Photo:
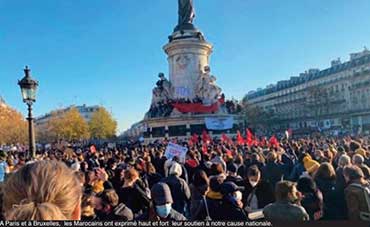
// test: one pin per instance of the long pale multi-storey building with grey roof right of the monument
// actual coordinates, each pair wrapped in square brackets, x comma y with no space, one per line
[335,99]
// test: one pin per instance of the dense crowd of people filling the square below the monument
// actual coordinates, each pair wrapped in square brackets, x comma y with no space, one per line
[297,180]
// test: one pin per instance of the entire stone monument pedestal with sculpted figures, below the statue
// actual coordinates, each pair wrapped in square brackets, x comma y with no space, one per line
[188,55]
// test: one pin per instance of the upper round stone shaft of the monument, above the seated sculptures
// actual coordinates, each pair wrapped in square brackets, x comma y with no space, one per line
[188,54]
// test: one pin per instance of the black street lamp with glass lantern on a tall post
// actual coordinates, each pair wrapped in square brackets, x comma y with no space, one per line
[28,88]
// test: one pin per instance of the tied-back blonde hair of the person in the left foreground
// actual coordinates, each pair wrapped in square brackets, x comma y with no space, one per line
[43,190]
